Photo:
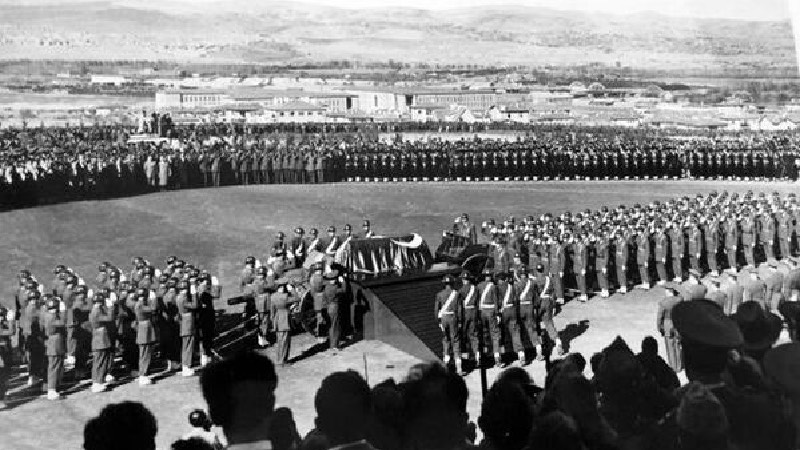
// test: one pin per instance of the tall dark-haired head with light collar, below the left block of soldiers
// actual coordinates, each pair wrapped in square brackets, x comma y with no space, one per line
[240,393]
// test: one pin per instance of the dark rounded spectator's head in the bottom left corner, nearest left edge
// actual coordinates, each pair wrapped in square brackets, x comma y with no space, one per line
[121,426]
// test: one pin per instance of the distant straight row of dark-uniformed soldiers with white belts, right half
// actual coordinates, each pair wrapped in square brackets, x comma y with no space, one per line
[528,163]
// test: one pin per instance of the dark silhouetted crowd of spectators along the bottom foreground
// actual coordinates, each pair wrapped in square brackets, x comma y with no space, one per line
[736,399]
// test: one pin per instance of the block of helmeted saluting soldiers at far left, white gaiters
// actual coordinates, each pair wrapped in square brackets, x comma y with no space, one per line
[70,326]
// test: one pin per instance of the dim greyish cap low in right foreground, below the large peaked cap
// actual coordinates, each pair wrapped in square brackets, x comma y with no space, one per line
[700,412]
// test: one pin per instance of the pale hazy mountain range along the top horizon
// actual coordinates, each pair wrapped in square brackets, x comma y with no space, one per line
[267,31]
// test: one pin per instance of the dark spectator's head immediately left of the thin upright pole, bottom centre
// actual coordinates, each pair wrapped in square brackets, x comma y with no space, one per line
[435,409]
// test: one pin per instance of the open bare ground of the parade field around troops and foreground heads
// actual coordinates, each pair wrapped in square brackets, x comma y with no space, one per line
[218,228]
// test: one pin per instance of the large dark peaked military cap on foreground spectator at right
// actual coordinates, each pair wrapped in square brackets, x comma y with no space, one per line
[704,321]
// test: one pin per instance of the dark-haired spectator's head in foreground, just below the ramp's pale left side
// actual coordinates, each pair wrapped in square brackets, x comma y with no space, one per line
[344,410]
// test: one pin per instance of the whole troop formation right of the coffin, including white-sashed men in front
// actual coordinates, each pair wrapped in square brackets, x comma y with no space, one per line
[721,247]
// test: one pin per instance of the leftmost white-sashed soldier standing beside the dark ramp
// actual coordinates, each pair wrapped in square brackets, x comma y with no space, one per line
[447,309]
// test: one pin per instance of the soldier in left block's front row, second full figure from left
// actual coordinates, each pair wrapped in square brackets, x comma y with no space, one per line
[101,319]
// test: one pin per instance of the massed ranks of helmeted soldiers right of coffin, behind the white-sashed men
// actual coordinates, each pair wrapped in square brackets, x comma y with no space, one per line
[645,245]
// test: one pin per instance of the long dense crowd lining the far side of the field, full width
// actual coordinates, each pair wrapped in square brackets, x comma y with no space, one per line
[40,166]
